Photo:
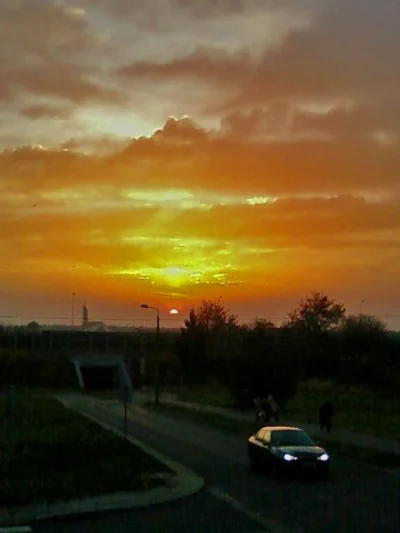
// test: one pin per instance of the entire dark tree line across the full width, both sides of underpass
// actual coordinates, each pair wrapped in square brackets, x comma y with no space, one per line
[319,340]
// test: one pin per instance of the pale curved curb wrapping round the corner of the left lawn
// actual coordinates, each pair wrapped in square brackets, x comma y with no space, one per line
[184,483]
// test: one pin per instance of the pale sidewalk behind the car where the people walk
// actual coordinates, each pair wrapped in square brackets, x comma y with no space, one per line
[340,435]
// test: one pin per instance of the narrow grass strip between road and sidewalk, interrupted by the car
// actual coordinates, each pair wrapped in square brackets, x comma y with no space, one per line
[247,428]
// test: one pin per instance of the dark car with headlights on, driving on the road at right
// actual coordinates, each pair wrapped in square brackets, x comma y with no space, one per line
[278,448]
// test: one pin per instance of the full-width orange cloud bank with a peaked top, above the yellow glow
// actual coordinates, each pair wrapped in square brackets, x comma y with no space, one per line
[182,155]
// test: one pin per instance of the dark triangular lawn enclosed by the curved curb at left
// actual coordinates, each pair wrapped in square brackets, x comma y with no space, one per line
[56,455]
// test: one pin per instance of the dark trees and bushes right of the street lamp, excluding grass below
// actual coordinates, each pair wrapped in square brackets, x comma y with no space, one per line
[319,340]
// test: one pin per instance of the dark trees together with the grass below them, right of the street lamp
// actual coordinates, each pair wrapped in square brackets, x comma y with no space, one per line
[319,353]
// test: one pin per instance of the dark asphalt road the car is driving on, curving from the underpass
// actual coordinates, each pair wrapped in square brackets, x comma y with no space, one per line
[356,499]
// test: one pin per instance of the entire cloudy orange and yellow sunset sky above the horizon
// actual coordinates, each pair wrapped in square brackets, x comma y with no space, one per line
[165,151]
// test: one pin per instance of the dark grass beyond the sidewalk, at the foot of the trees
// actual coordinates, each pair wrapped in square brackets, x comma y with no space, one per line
[356,409]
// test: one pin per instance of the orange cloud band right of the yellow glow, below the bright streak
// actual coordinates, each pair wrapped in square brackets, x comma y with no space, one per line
[296,222]
